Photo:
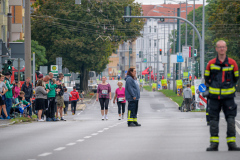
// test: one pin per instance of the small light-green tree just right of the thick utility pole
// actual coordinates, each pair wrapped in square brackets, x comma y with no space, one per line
[40,53]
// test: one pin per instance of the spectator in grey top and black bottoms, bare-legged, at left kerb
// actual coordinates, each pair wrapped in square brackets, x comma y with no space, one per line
[41,95]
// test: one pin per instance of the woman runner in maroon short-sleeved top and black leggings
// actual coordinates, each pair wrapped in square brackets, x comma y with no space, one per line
[104,94]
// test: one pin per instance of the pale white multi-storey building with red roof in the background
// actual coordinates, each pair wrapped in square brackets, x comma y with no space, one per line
[157,31]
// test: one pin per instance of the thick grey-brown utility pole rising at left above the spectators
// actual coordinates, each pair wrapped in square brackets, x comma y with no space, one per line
[27,40]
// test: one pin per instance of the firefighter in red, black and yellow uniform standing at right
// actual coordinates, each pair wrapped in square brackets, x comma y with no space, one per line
[221,75]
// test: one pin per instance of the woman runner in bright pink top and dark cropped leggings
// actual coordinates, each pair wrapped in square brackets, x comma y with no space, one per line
[121,102]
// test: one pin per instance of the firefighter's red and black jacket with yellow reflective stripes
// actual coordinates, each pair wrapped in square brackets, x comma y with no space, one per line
[222,78]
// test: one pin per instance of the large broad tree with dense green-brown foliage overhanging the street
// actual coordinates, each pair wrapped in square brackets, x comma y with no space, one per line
[84,35]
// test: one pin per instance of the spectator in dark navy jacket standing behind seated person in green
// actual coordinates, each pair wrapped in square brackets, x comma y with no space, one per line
[28,90]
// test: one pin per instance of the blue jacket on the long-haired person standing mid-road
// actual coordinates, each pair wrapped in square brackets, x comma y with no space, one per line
[131,89]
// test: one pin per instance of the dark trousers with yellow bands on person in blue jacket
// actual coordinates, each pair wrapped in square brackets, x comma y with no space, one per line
[132,111]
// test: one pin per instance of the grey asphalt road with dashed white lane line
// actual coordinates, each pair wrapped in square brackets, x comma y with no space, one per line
[165,134]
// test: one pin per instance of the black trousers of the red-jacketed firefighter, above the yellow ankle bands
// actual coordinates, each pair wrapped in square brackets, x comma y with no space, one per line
[229,108]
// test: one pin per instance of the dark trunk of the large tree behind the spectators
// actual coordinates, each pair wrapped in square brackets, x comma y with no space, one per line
[84,78]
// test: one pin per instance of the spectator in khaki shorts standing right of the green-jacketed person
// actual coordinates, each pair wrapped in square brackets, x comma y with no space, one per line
[59,97]
